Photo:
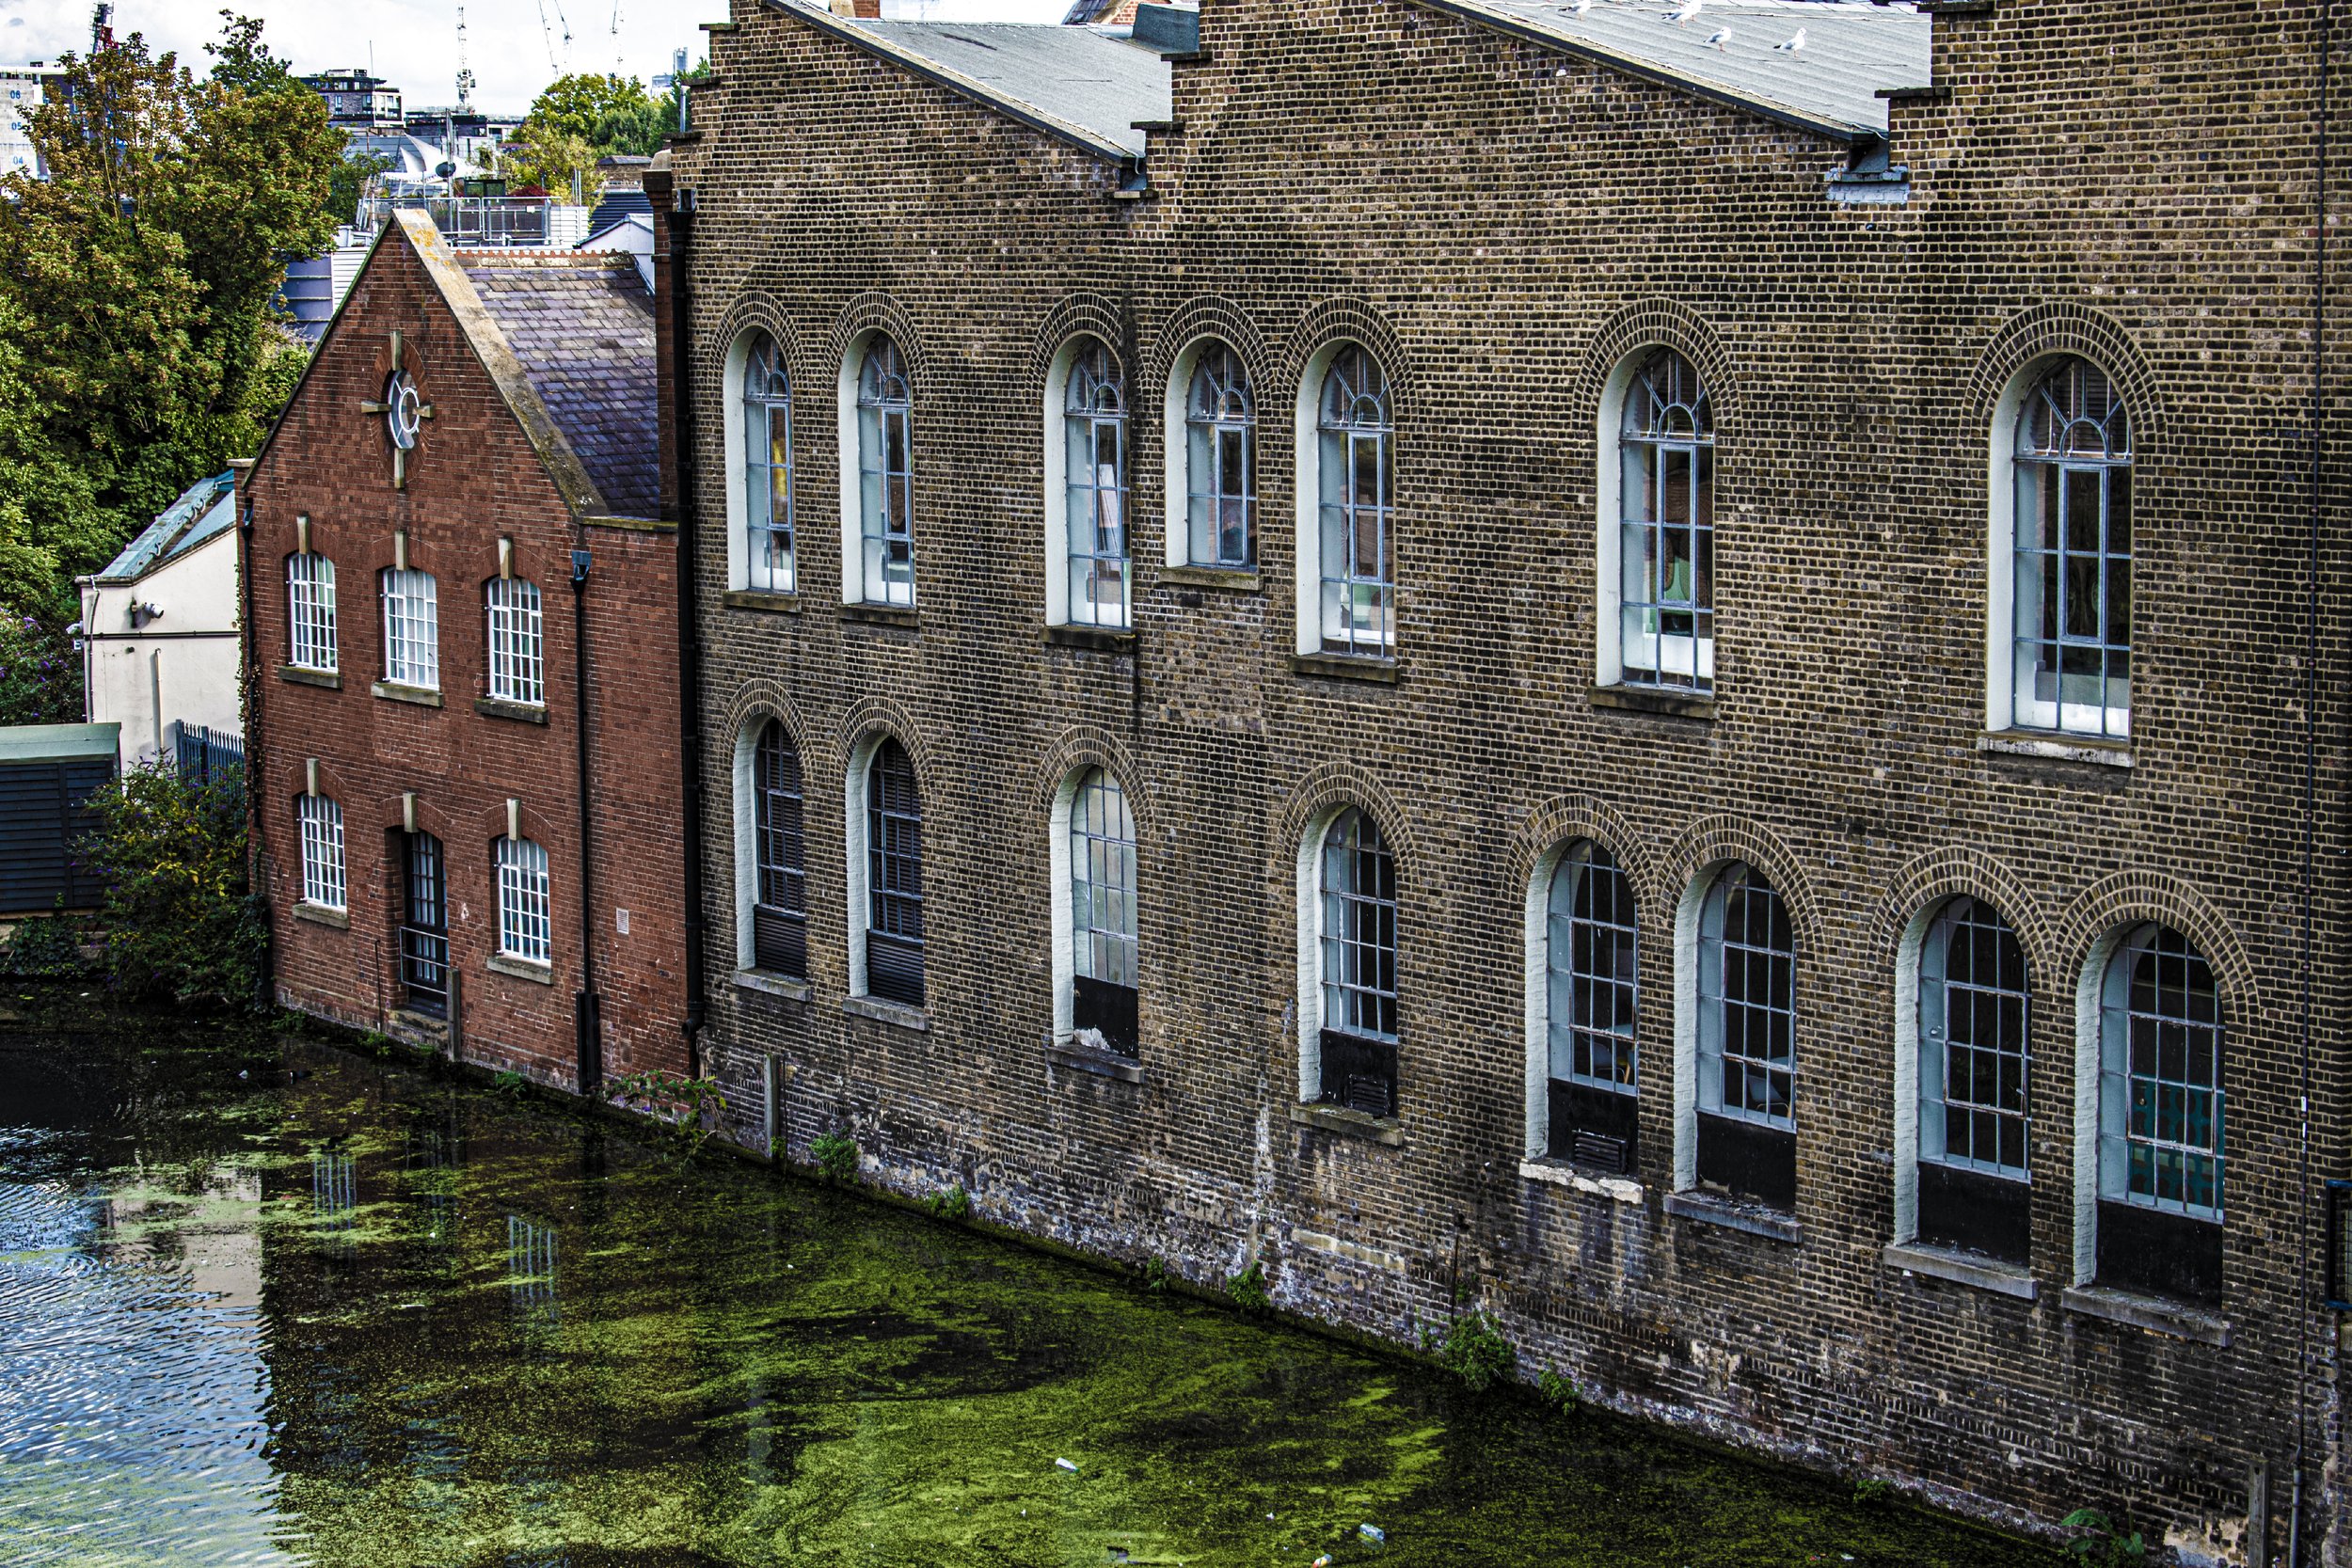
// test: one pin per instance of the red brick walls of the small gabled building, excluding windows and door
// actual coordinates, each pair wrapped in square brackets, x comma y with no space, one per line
[474,478]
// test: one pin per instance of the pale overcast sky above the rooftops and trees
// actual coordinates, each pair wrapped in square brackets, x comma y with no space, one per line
[415,41]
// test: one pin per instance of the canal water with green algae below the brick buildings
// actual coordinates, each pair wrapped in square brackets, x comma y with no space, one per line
[274,1304]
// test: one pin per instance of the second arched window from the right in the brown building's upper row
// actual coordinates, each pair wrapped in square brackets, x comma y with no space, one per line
[1666,528]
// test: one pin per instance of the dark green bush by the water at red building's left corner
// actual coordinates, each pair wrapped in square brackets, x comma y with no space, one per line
[180,916]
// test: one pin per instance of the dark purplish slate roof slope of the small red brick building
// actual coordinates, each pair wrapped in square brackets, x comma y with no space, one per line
[582,326]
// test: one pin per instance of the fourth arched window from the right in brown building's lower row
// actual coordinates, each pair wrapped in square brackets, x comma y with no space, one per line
[1591,960]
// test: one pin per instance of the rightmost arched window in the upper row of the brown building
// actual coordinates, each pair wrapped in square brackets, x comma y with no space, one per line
[2071,603]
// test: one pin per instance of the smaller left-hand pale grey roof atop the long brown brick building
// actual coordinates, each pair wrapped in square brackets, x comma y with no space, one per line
[1081,83]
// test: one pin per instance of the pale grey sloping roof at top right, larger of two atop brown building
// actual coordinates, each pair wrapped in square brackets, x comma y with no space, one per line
[1852,51]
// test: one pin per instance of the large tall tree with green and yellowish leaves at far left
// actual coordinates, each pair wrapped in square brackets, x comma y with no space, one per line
[138,347]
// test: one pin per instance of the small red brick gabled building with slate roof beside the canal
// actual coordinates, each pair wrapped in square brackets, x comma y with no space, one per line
[455,514]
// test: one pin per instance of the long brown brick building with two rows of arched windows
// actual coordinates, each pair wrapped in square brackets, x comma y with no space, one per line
[1664,671]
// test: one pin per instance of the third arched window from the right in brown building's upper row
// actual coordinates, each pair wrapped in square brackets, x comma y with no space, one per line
[1358,509]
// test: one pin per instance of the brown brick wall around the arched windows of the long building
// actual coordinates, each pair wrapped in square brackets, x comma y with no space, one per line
[1502,225]
